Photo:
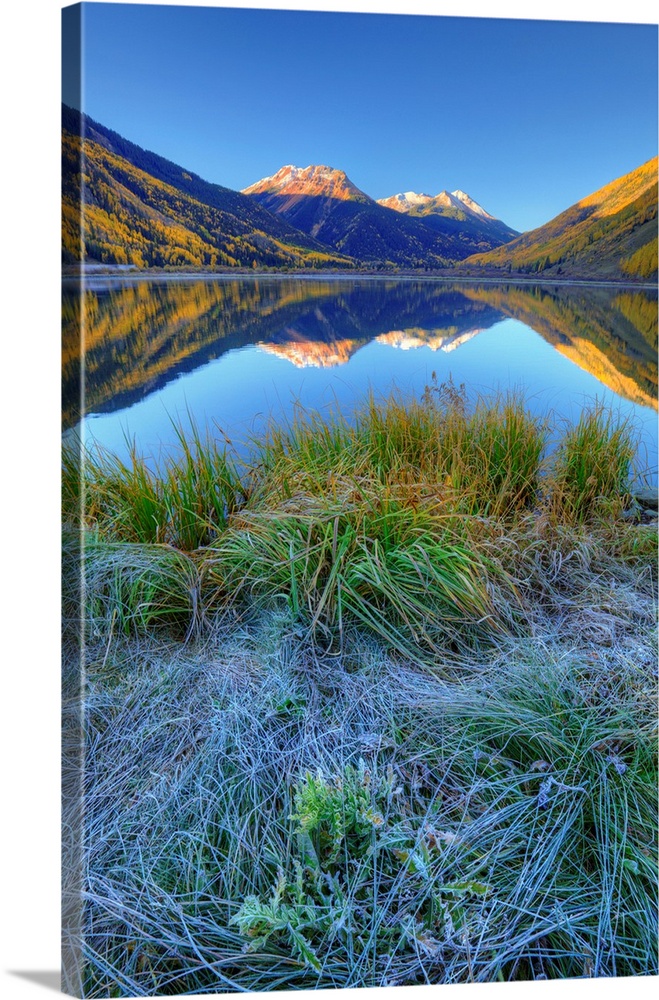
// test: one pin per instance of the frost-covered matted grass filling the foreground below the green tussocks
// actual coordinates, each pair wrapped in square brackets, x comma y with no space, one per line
[262,816]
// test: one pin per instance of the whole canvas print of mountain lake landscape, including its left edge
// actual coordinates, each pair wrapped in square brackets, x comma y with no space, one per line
[359,403]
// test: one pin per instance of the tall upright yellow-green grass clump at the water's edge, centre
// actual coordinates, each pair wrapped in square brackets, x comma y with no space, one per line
[484,462]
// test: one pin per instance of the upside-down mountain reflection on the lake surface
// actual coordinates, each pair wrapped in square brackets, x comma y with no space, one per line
[141,335]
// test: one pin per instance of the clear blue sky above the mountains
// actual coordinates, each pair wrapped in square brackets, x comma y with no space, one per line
[526,116]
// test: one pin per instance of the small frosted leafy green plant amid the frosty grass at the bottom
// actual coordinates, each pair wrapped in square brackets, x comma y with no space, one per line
[357,865]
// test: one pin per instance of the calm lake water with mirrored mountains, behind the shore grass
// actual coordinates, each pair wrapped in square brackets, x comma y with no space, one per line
[233,353]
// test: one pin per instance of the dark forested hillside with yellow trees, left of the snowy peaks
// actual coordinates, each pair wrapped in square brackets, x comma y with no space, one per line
[143,210]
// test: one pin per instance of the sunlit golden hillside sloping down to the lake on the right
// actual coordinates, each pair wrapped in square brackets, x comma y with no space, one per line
[611,234]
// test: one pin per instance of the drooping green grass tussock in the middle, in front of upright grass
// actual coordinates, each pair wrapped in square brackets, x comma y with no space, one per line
[391,568]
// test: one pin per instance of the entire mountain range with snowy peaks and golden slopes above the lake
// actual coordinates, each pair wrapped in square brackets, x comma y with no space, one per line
[144,211]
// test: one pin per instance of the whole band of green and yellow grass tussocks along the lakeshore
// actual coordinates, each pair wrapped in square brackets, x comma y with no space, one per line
[401,520]
